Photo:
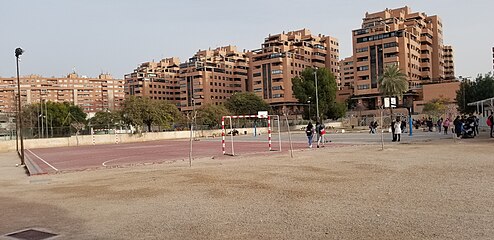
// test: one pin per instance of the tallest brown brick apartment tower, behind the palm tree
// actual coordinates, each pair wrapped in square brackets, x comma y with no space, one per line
[411,40]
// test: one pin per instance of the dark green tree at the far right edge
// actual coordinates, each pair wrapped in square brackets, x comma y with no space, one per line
[472,91]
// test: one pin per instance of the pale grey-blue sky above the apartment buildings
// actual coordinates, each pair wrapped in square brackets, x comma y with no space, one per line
[115,36]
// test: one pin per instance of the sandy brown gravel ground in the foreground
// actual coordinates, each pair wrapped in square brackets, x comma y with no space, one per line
[434,190]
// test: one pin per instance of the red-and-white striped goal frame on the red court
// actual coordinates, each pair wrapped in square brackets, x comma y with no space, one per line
[261,115]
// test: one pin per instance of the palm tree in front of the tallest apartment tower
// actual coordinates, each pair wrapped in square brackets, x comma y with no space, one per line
[393,82]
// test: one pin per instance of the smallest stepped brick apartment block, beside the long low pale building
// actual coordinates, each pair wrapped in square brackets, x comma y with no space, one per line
[156,80]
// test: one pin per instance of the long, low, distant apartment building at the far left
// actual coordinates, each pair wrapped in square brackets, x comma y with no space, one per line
[91,94]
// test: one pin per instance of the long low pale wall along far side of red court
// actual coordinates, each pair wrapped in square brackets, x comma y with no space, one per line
[10,145]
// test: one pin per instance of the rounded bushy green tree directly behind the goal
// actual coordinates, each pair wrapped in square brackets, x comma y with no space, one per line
[246,103]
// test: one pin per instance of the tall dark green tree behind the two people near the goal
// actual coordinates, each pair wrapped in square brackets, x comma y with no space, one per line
[304,86]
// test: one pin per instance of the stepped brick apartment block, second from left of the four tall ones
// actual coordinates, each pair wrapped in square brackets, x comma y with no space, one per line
[212,77]
